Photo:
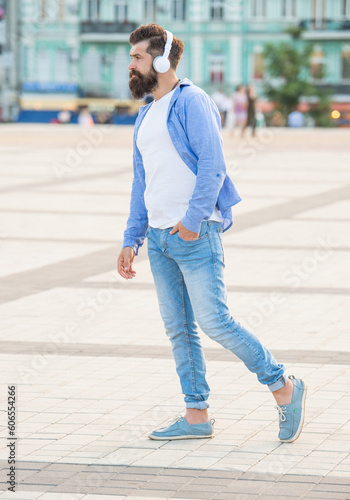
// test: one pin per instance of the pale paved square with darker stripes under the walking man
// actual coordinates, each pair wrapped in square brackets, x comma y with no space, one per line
[87,352]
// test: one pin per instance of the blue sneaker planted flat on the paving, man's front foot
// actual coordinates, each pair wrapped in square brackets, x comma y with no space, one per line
[179,428]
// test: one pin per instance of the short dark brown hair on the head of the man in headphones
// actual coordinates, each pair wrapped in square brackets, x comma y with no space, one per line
[157,39]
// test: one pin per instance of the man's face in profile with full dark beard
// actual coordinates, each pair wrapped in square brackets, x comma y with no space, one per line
[143,78]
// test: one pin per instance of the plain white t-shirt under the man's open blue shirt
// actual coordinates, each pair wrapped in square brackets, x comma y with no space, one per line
[169,181]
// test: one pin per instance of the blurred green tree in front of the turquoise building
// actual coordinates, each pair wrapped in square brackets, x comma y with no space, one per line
[288,70]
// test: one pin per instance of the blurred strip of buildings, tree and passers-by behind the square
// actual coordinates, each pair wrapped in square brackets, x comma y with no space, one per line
[61,59]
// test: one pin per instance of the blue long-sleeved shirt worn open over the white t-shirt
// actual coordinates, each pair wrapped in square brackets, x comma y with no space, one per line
[194,126]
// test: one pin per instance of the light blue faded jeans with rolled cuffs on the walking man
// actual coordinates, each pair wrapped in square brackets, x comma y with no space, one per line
[190,286]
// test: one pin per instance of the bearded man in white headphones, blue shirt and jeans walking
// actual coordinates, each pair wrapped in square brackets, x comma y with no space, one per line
[181,201]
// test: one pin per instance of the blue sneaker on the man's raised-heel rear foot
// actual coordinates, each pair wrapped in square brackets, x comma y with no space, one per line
[291,417]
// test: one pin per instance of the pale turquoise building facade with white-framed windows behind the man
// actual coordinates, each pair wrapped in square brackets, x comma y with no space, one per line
[79,48]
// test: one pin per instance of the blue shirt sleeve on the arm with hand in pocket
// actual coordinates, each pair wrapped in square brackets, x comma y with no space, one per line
[204,135]
